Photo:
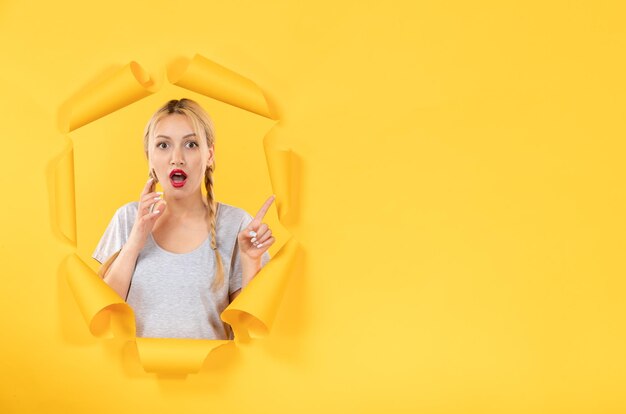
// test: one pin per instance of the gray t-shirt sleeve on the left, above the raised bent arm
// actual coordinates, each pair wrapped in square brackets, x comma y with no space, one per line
[116,233]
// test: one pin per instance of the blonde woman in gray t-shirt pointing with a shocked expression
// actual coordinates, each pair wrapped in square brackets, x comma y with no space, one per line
[177,258]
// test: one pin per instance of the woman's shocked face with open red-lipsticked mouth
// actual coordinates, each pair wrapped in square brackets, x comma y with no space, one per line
[178,156]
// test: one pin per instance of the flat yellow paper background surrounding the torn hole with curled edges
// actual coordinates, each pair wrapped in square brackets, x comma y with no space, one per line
[461,206]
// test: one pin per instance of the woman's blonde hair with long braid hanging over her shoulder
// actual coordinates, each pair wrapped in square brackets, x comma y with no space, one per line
[202,125]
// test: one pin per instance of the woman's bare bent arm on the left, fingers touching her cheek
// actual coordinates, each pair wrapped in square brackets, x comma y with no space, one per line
[120,271]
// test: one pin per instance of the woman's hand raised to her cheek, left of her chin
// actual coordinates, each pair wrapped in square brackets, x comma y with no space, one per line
[146,214]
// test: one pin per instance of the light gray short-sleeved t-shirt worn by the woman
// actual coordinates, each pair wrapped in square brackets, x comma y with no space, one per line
[171,293]
